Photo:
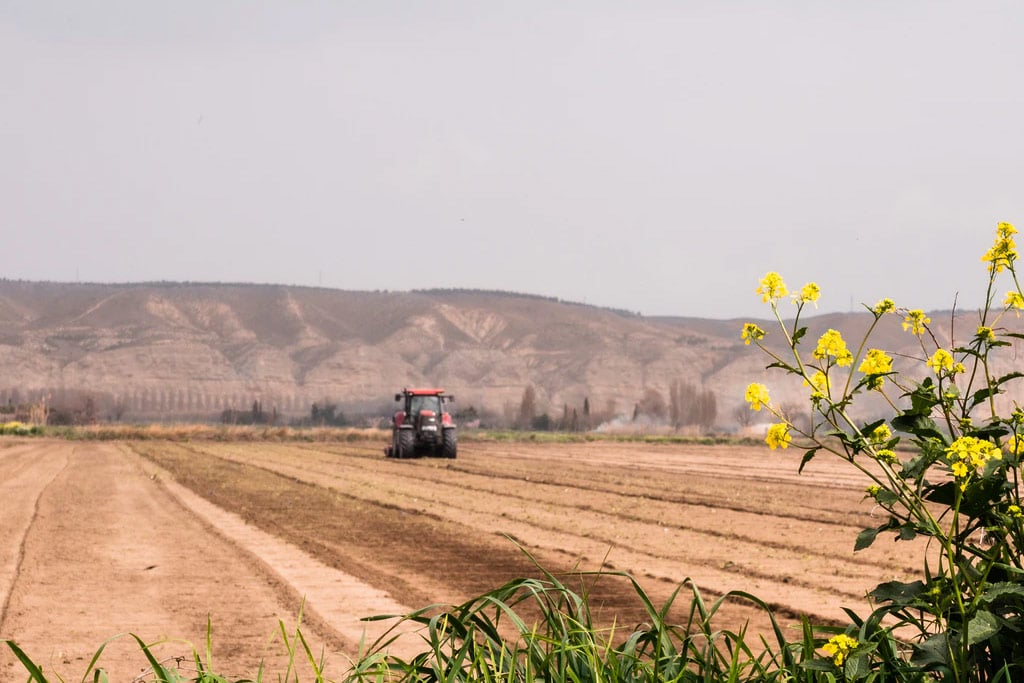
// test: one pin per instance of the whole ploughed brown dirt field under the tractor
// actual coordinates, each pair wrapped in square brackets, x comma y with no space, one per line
[155,539]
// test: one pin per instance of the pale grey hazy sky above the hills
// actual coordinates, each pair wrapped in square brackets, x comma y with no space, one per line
[658,157]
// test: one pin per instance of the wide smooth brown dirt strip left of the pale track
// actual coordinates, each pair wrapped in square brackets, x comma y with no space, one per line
[111,552]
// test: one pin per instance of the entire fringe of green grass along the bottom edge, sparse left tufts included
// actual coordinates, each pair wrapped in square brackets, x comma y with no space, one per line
[540,629]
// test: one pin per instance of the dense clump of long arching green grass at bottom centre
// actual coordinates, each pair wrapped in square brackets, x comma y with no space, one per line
[491,638]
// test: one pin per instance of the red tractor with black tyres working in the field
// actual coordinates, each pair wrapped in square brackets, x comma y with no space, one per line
[423,428]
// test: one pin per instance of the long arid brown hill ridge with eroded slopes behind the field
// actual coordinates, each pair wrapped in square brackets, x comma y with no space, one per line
[192,351]
